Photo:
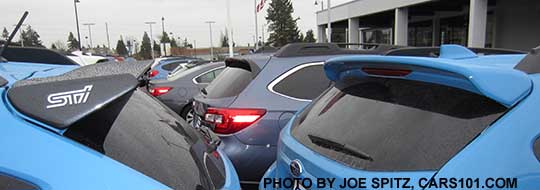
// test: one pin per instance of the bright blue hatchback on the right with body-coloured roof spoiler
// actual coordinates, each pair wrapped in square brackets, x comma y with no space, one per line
[457,121]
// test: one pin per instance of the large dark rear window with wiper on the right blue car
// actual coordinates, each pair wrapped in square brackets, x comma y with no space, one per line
[393,124]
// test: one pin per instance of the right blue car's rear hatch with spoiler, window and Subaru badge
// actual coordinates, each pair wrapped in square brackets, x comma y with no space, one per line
[396,117]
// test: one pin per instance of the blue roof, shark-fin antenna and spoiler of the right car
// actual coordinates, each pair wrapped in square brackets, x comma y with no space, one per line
[485,73]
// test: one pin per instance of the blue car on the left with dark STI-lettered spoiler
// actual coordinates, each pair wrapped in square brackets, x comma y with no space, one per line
[94,128]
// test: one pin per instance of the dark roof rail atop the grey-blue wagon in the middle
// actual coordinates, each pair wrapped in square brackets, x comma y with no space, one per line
[319,49]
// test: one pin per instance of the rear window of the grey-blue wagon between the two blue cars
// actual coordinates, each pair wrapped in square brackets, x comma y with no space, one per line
[229,83]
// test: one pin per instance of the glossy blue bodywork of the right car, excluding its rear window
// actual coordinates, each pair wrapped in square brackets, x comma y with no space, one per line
[503,150]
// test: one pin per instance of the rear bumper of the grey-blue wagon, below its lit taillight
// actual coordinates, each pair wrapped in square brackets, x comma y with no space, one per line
[251,161]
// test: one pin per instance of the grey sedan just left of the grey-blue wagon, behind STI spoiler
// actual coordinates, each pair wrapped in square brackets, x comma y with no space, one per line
[178,89]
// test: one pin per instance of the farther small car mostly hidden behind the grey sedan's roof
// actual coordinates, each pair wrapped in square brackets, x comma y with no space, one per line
[162,67]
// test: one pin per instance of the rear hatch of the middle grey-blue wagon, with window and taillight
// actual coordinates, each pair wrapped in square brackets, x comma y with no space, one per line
[222,92]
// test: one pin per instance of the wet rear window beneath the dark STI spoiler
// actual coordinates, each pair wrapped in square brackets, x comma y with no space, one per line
[159,144]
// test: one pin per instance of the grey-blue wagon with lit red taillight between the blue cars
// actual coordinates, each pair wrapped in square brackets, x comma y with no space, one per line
[255,96]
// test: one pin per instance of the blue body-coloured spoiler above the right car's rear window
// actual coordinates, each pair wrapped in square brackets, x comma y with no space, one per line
[504,85]
